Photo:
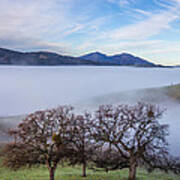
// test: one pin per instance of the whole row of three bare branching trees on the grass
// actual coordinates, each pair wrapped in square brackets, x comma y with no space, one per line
[112,137]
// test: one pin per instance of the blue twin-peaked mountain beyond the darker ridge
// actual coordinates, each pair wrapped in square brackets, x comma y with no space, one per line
[124,59]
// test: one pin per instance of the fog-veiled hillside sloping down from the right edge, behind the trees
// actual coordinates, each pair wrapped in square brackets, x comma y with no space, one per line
[158,95]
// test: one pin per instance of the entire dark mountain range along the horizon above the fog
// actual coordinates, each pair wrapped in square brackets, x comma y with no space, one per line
[10,57]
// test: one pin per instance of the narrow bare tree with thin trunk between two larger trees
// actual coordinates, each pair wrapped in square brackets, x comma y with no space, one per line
[83,145]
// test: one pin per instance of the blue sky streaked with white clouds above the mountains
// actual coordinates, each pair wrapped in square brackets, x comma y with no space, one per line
[146,28]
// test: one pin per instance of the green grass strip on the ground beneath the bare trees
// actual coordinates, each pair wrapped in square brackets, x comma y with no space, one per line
[74,173]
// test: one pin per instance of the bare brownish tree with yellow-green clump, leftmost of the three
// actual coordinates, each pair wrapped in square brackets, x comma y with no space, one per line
[41,138]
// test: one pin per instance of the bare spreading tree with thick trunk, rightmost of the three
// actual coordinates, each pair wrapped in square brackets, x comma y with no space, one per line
[135,132]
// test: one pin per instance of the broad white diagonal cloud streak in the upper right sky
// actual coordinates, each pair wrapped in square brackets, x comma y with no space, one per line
[154,25]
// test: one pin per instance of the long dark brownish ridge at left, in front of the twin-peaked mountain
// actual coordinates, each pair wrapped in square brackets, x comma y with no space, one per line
[9,57]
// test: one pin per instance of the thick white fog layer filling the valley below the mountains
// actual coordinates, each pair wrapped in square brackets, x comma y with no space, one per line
[26,89]
